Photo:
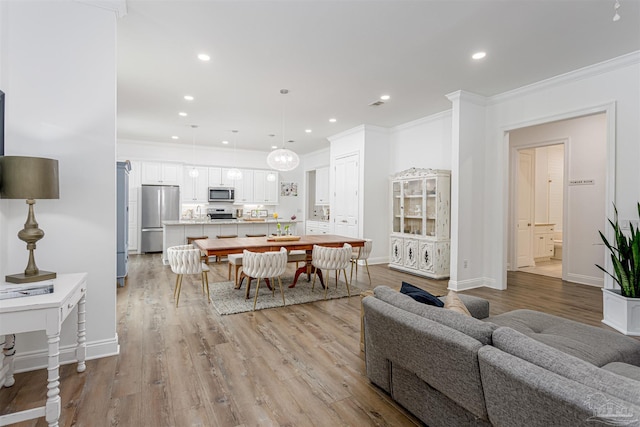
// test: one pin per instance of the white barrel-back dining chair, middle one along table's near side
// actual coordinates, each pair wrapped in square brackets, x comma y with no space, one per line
[265,265]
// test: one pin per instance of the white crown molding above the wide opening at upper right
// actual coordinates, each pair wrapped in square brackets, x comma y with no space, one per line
[570,77]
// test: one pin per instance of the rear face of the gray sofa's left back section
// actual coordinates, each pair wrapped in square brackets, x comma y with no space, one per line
[442,357]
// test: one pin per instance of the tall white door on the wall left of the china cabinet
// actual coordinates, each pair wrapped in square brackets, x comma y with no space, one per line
[345,211]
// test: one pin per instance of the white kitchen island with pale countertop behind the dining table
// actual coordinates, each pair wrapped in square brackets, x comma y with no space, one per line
[176,232]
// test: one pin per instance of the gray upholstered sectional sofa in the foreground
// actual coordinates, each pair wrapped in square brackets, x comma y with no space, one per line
[522,368]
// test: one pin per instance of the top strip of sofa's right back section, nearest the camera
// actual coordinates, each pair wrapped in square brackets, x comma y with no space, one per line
[526,348]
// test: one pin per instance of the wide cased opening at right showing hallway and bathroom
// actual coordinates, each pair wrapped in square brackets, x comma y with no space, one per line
[567,207]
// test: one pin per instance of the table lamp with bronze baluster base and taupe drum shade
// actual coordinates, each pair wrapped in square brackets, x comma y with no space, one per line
[29,178]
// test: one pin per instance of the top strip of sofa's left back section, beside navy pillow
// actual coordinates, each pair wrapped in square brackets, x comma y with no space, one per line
[478,329]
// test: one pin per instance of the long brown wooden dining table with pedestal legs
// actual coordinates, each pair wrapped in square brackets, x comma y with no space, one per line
[223,247]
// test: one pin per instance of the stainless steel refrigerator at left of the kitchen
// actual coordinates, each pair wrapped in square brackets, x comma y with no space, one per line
[159,203]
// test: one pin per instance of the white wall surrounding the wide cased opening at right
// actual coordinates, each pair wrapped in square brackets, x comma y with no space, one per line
[613,86]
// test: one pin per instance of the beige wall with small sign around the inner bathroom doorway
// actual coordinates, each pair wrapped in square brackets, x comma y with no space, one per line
[586,159]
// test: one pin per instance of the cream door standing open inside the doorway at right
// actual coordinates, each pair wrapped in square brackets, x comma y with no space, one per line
[525,208]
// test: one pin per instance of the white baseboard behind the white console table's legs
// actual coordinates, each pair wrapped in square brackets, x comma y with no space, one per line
[34,360]
